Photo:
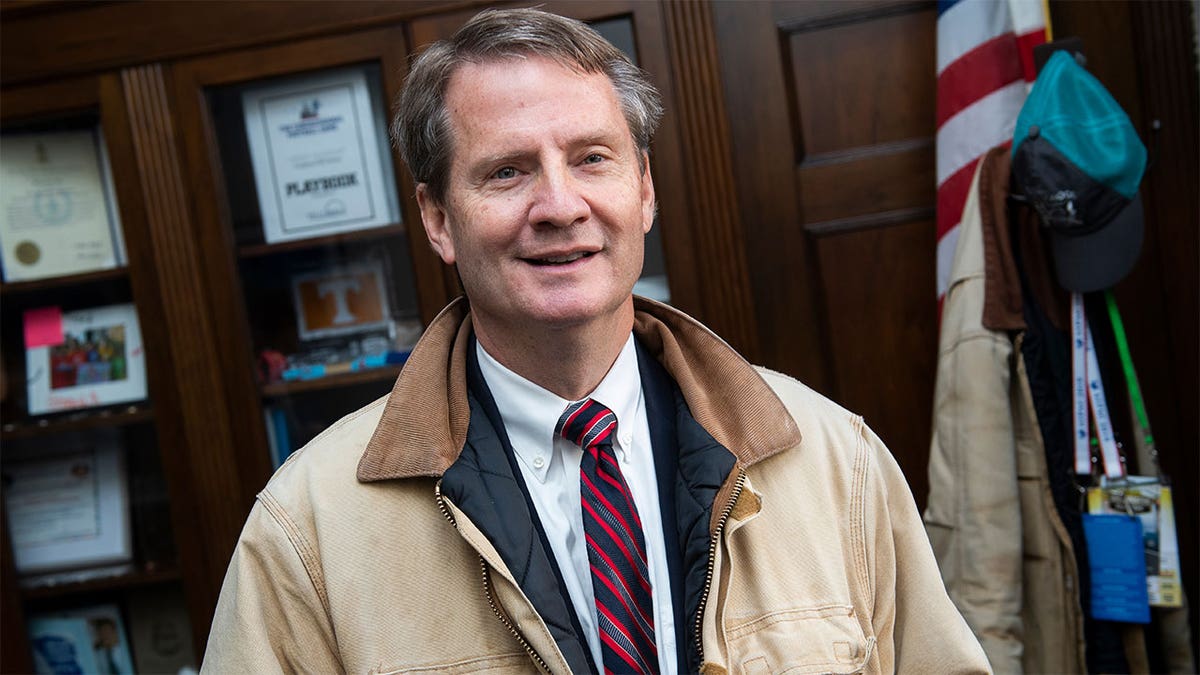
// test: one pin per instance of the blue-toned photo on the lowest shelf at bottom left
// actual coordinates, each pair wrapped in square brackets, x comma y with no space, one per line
[83,641]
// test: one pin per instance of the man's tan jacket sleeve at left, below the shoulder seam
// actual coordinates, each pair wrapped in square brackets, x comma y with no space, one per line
[272,616]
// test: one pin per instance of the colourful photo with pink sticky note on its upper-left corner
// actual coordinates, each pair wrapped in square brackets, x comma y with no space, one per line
[83,359]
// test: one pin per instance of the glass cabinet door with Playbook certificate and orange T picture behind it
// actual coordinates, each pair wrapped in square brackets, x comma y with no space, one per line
[332,284]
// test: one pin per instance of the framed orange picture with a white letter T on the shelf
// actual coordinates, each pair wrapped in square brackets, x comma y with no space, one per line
[341,301]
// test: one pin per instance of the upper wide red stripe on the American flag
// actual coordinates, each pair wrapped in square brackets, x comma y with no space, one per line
[976,75]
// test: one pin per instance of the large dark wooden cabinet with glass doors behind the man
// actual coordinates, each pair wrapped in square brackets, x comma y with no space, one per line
[238,378]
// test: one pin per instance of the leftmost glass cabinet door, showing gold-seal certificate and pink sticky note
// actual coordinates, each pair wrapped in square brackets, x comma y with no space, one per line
[88,507]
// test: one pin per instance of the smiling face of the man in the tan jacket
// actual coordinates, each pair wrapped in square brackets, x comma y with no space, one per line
[547,208]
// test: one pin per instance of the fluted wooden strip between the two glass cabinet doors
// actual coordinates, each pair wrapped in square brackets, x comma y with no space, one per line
[206,471]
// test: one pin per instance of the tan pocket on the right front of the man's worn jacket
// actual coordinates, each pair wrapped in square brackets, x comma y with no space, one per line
[825,640]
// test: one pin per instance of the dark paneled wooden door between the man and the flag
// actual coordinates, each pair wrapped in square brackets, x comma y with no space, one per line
[831,110]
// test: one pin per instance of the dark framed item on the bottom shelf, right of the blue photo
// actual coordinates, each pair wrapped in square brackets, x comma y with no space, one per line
[160,631]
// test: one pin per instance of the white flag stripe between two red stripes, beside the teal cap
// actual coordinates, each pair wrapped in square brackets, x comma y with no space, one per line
[979,128]
